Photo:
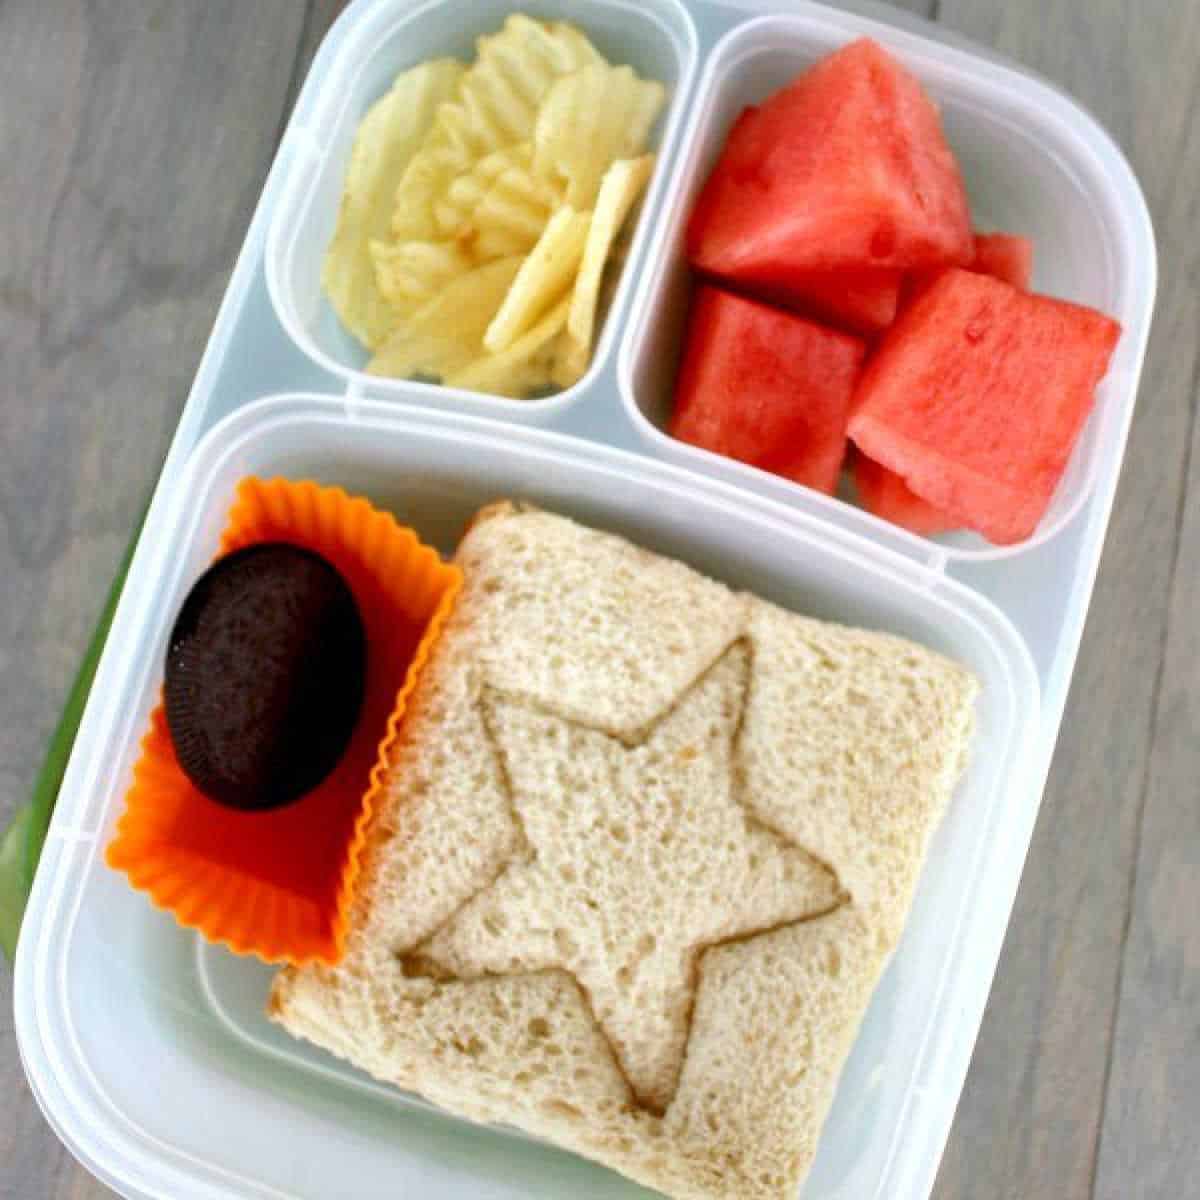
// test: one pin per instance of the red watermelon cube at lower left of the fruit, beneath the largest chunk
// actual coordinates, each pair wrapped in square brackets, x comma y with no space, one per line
[766,388]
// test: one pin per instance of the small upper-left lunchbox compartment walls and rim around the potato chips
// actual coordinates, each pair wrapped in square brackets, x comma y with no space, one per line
[657,38]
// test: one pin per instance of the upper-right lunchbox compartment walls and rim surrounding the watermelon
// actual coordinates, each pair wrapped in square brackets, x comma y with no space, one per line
[1035,164]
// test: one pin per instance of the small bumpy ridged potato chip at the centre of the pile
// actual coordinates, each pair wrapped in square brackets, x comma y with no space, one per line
[499,207]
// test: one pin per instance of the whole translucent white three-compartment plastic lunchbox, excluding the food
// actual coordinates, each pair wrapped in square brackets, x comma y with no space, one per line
[146,1047]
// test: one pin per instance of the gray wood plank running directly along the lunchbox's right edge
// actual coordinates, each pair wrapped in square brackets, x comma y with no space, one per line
[1030,1117]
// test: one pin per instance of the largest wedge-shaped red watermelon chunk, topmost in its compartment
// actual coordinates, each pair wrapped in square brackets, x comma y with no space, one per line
[847,169]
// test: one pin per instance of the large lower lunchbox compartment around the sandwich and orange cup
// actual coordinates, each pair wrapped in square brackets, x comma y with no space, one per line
[161,1028]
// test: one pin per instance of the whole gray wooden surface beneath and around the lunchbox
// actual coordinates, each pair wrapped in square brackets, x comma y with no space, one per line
[136,136]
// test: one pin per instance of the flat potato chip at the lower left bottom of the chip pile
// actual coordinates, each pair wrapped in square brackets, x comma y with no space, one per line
[447,334]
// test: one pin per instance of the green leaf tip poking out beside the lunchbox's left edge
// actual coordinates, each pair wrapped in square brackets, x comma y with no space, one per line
[22,844]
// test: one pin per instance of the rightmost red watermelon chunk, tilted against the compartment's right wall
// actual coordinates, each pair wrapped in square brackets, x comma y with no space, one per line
[976,398]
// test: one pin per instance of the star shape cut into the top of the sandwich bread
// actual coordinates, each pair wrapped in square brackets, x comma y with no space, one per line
[633,860]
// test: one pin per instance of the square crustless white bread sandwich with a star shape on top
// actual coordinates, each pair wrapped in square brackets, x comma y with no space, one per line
[646,850]
